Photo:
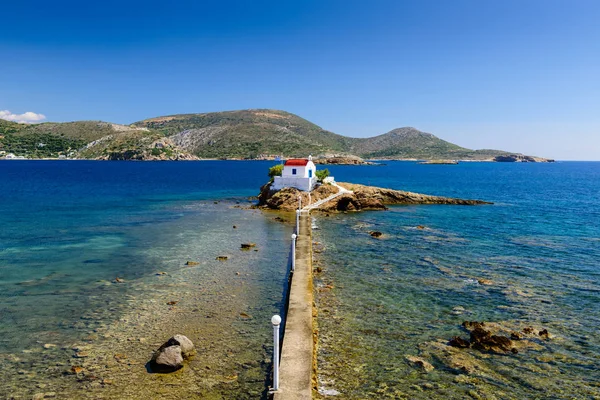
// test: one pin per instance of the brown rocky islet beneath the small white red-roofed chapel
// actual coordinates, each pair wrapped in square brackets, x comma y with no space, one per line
[362,198]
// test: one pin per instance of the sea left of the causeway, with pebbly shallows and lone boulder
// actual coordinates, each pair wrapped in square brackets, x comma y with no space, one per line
[70,228]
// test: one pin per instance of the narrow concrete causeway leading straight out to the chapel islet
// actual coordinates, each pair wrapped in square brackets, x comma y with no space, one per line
[296,365]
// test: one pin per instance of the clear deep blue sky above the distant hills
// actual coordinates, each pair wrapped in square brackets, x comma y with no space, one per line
[522,76]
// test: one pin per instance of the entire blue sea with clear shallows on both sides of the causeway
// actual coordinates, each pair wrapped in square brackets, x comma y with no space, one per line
[70,228]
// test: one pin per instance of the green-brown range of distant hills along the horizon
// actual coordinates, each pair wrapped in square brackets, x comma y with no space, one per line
[255,133]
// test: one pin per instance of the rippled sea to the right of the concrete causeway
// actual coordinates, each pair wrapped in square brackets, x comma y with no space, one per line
[407,294]
